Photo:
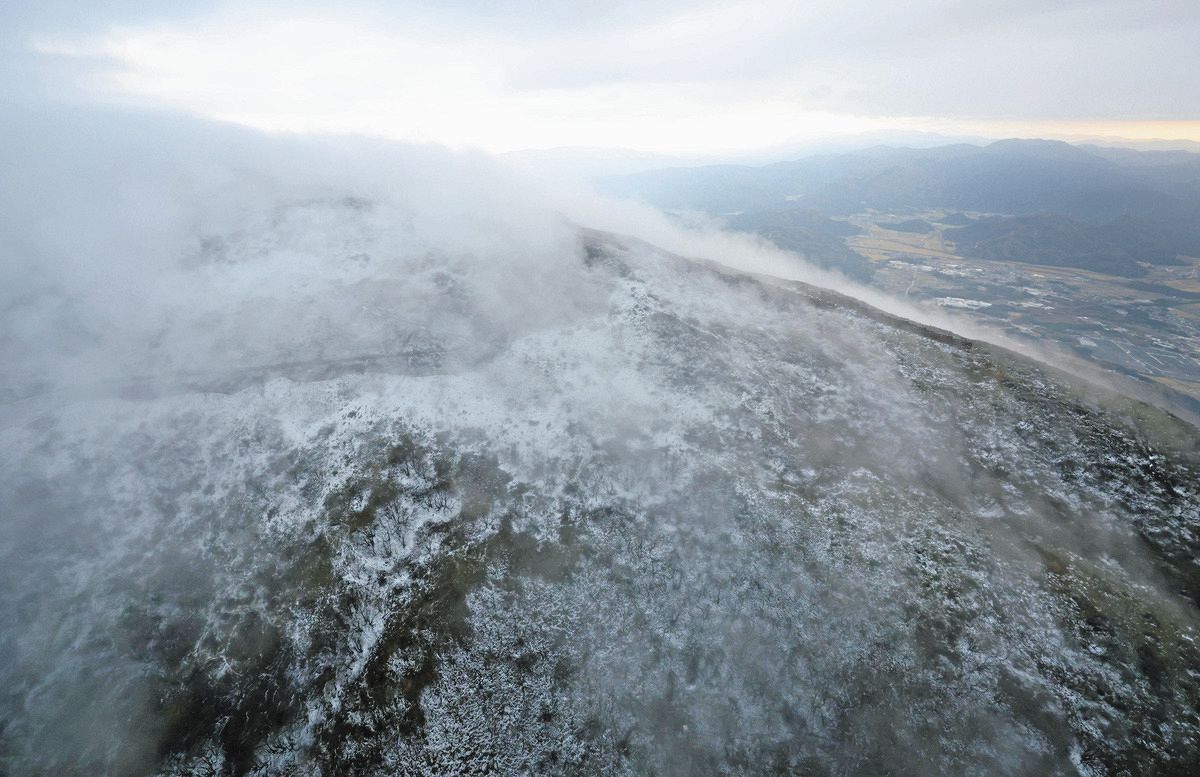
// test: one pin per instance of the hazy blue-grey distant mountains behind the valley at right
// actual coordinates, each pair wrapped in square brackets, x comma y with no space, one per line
[1046,202]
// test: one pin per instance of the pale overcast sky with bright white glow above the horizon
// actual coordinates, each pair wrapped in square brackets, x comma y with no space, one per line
[665,76]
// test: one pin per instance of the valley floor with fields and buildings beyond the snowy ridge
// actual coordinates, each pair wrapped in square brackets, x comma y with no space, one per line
[1147,327]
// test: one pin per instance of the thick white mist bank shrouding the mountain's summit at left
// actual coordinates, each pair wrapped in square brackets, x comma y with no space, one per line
[152,249]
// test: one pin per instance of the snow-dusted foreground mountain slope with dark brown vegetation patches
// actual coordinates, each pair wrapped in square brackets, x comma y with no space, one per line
[613,514]
